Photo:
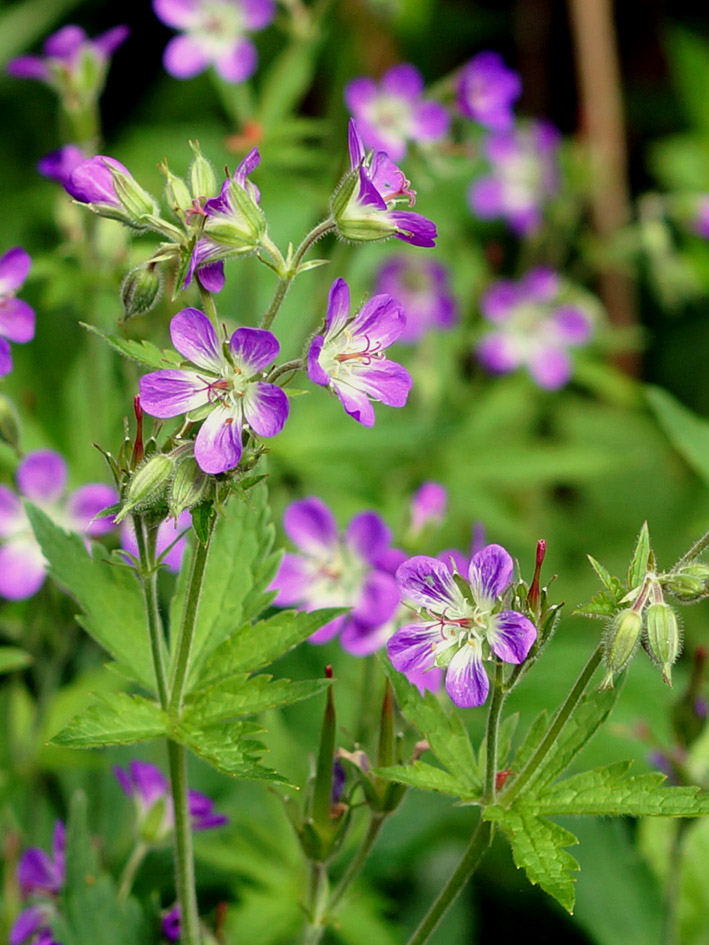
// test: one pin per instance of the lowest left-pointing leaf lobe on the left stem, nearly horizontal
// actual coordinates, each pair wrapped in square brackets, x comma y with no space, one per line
[118,719]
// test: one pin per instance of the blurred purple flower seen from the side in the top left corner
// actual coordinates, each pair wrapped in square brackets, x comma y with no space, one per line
[71,62]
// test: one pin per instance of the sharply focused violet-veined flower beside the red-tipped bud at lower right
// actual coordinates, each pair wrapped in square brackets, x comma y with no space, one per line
[461,630]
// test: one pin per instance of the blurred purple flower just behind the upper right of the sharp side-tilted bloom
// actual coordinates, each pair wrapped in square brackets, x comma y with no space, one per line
[423,289]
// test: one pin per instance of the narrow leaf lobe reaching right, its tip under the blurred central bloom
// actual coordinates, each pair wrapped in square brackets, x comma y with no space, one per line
[255,646]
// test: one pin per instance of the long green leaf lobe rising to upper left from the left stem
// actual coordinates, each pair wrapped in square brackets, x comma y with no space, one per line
[109,595]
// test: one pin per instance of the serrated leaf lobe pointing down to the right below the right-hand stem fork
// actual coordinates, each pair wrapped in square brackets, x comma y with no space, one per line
[538,848]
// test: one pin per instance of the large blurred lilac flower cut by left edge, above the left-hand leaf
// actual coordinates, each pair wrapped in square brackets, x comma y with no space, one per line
[41,478]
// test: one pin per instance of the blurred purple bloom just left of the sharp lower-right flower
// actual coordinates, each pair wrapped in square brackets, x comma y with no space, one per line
[333,570]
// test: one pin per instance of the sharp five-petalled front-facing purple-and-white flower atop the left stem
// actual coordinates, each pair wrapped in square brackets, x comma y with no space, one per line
[225,386]
